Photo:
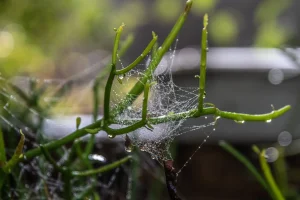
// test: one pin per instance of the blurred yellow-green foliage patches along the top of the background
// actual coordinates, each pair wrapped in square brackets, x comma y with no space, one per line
[35,35]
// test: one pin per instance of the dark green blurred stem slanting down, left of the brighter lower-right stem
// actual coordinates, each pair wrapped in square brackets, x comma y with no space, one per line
[247,163]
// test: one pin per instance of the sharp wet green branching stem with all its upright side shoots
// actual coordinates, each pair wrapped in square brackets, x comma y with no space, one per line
[142,86]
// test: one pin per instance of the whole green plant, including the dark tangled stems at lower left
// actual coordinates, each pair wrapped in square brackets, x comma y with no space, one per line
[68,173]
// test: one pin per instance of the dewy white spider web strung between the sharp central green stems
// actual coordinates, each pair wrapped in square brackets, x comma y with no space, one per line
[166,98]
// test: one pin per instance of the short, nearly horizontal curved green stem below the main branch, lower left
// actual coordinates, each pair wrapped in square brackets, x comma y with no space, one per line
[102,169]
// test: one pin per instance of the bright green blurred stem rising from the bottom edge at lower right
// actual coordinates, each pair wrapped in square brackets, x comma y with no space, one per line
[269,177]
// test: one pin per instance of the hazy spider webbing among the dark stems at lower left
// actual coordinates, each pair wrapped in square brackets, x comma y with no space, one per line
[34,178]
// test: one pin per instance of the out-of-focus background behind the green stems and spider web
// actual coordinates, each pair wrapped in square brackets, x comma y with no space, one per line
[253,66]
